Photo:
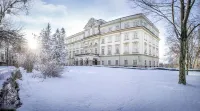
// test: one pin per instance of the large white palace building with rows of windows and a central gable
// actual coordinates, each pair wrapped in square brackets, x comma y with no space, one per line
[127,41]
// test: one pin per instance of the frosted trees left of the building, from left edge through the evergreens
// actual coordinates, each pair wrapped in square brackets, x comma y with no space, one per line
[51,56]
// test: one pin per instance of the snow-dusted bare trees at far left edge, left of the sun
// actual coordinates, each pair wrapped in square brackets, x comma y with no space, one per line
[11,38]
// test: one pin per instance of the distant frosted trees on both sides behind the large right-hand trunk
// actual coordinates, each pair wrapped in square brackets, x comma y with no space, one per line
[192,51]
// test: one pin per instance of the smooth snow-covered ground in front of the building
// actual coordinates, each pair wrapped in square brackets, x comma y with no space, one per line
[110,89]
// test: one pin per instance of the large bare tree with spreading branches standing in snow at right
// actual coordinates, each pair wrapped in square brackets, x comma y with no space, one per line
[177,13]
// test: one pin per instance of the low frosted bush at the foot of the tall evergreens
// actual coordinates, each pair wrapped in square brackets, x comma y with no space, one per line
[51,69]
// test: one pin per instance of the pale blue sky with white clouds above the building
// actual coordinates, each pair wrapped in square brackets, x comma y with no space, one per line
[74,14]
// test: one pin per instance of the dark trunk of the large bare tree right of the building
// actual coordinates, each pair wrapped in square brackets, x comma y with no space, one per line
[182,79]
